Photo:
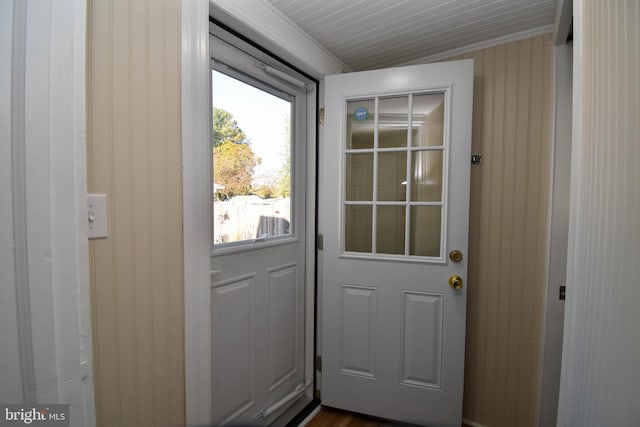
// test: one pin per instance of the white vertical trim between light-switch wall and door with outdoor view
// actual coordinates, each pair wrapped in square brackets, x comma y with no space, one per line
[196,118]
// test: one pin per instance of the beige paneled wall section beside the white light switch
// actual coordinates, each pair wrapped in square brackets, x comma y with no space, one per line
[134,158]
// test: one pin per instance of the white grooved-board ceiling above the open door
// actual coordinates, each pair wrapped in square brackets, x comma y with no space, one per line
[370,34]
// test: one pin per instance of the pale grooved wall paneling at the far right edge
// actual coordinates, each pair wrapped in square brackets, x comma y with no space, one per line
[600,371]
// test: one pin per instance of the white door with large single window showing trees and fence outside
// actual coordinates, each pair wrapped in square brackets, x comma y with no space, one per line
[258,251]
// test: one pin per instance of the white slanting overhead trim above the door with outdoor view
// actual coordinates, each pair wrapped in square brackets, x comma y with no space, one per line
[283,36]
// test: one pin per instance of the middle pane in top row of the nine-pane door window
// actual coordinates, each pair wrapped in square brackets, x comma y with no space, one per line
[393,122]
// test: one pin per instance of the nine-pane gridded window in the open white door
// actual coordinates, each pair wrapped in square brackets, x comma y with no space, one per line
[388,153]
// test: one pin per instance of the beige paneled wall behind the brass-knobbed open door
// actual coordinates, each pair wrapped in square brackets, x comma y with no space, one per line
[508,231]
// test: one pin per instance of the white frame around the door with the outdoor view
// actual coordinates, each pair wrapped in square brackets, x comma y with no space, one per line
[264,26]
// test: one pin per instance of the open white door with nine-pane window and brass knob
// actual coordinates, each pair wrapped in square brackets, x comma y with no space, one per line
[394,215]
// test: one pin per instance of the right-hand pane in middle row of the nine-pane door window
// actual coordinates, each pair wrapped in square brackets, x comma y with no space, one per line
[426,176]
